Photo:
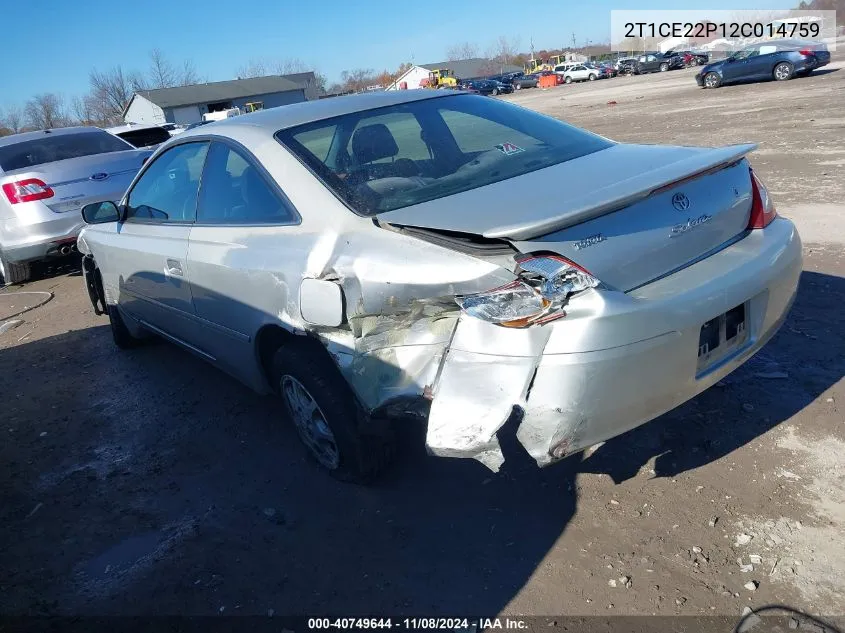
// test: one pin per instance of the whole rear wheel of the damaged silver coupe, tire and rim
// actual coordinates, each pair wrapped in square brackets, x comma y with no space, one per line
[326,415]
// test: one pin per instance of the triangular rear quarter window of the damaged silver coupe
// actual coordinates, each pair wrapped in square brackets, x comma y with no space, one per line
[234,191]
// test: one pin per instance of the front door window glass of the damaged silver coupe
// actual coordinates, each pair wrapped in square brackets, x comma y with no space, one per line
[167,191]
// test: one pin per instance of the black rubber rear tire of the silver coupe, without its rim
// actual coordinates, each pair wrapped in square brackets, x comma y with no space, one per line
[365,450]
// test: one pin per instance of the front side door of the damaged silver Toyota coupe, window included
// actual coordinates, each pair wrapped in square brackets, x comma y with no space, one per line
[150,254]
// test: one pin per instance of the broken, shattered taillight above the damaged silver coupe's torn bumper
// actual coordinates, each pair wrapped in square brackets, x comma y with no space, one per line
[544,287]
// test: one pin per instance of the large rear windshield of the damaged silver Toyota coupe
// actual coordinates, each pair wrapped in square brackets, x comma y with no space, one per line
[385,159]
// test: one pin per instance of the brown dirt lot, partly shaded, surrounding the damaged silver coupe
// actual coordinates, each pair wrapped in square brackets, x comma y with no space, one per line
[147,482]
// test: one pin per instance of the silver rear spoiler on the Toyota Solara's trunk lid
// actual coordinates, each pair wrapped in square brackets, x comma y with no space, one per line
[624,193]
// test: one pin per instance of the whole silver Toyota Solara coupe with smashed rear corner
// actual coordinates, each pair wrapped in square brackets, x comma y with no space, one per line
[441,256]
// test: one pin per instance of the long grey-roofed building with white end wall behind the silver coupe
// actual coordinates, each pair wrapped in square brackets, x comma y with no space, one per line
[187,104]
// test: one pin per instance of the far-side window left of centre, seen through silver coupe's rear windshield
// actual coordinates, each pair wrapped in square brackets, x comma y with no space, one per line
[386,138]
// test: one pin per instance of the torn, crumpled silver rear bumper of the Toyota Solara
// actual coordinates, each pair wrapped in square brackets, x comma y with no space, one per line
[616,361]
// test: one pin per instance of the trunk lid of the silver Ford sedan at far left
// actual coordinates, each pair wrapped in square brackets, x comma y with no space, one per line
[79,181]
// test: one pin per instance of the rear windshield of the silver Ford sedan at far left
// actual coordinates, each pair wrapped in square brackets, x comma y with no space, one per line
[51,148]
